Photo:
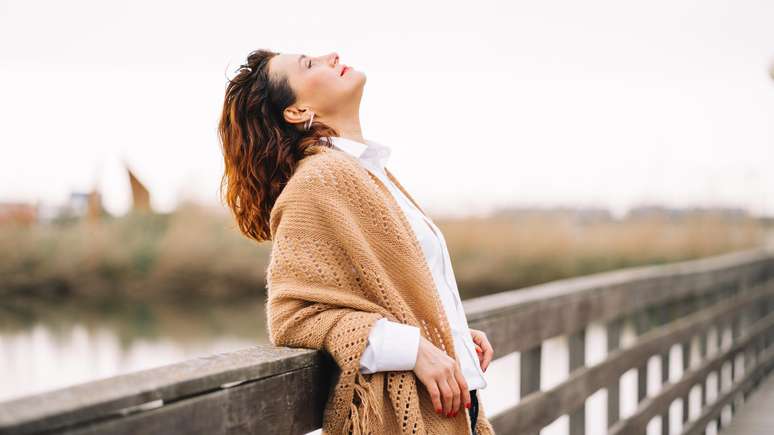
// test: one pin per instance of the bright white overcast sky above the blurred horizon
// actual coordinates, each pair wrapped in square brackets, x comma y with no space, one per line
[598,103]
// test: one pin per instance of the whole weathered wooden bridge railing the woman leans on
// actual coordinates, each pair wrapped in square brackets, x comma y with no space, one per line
[264,389]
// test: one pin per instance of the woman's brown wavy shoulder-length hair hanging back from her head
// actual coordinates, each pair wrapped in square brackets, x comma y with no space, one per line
[260,149]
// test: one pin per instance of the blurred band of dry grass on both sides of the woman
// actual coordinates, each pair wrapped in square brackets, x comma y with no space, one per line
[195,253]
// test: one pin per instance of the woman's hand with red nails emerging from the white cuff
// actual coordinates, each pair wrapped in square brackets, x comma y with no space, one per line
[442,377]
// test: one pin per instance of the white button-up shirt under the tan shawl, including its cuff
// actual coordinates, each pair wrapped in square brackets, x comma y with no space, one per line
[394,346]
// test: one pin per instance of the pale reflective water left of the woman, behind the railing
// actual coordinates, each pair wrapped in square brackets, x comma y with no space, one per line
[45,347]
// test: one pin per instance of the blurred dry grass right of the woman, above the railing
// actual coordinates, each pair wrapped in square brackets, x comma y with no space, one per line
[497,254]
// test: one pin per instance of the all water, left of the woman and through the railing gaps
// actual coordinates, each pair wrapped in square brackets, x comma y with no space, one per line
[44,347]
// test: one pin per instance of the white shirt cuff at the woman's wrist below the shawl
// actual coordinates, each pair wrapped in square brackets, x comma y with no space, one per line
[392,346]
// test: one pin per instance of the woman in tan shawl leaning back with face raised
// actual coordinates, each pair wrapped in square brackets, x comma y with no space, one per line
[357,269]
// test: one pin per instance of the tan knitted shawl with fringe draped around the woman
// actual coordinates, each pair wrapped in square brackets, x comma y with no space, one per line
[343,256]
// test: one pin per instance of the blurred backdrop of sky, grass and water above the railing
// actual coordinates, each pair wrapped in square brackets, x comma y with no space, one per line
[546,139]
